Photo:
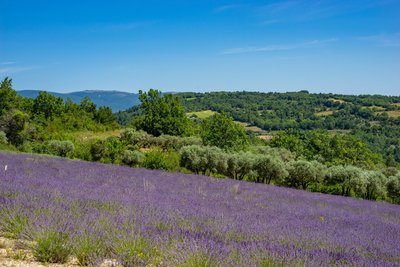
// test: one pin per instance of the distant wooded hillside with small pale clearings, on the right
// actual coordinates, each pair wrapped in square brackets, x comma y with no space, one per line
[365,115]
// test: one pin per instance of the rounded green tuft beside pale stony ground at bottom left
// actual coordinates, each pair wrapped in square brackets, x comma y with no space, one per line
[52,247]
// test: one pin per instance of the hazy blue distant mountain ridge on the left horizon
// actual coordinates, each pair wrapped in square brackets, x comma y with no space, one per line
[116,100]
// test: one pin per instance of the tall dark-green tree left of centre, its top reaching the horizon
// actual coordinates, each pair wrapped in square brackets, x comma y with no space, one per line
[162,114]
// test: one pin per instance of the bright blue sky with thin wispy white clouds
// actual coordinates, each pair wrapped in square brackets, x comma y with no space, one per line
[349,46]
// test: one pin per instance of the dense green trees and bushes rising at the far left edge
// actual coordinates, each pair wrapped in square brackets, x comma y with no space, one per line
[25,121]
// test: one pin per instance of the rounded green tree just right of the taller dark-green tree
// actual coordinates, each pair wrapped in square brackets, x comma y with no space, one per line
[221,131]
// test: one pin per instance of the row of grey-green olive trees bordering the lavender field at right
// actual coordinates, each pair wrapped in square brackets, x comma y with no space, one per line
[274,166]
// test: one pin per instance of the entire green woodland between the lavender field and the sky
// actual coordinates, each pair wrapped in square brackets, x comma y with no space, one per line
[335,144]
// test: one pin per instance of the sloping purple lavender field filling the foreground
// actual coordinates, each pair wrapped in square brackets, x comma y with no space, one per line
[139,217]
